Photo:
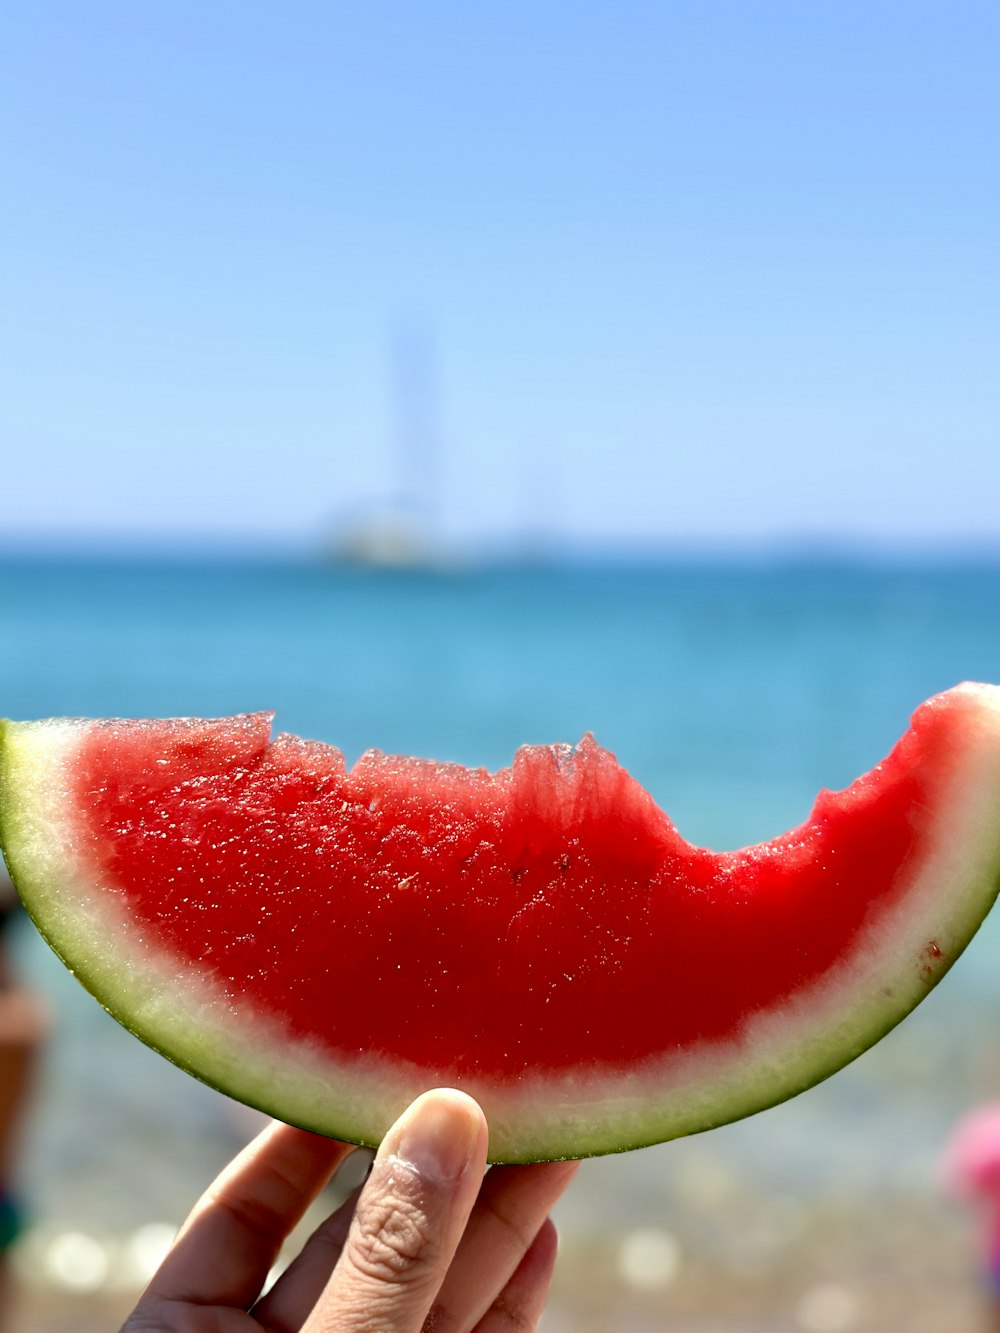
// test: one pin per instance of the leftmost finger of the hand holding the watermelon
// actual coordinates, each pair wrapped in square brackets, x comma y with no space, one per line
[229,1244]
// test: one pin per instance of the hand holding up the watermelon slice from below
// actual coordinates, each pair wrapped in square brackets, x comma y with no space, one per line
[433,1242]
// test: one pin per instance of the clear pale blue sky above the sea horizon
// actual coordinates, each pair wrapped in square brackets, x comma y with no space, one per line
[675,273]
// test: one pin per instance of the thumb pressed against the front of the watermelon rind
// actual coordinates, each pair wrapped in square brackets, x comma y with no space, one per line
[409,1220]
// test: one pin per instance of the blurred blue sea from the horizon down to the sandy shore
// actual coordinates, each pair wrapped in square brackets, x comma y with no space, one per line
[733,690]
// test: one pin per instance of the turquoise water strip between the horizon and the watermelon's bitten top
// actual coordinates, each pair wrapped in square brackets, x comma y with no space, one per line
[733,694]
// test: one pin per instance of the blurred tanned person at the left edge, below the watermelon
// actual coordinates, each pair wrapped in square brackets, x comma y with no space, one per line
[23,1027]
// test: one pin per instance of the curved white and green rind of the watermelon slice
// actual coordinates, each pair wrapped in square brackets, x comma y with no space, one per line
[585,1111]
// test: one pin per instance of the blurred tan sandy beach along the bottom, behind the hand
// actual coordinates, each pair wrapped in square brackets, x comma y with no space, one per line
[897,1270]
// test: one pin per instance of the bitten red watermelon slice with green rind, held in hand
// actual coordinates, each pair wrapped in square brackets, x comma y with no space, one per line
[325,944]
